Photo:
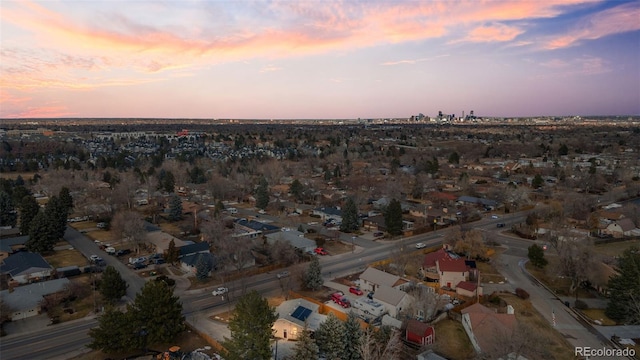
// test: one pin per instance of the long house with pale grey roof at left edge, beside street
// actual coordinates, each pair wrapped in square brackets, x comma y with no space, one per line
[24,301]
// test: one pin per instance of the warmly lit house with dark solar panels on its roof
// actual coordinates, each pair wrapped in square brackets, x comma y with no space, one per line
[292,316]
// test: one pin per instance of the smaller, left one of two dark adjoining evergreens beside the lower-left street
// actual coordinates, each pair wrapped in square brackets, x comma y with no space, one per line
[113,333]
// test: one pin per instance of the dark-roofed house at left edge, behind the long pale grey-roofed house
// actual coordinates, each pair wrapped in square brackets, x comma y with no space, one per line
[25,267]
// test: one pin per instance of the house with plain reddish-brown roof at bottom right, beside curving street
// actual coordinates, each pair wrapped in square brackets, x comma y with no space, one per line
[486,328]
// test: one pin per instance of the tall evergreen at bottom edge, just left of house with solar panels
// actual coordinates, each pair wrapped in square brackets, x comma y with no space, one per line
[250,327]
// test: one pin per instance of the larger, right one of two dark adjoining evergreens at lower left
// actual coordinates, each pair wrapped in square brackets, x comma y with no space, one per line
[158,312]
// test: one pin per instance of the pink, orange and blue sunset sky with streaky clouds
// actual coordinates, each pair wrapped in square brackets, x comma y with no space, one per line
[315,59]
